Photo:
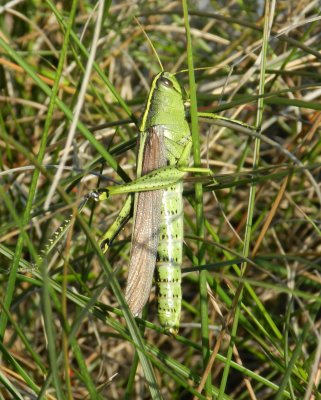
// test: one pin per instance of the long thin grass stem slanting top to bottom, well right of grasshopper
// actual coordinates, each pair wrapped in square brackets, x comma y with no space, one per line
[268,15]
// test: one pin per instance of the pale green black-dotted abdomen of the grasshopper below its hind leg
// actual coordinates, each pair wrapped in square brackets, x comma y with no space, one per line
[169,258]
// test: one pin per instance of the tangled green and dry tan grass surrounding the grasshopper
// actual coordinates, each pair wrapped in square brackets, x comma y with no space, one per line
[74,77]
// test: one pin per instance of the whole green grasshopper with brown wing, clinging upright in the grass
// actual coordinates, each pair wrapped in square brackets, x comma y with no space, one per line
[164,148]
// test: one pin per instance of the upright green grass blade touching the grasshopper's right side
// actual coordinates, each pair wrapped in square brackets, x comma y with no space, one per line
[198,197]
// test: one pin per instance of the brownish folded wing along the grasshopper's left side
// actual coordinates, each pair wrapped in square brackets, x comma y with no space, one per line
[145,235]
